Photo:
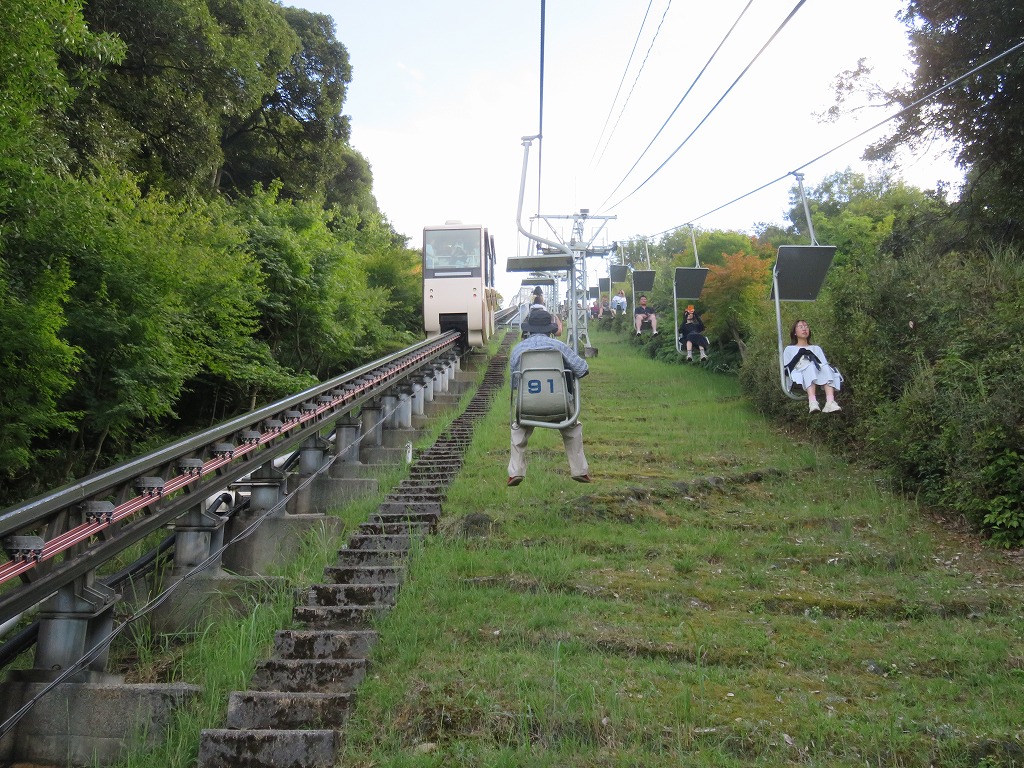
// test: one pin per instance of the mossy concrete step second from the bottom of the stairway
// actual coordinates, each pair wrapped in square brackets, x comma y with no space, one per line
[276,711]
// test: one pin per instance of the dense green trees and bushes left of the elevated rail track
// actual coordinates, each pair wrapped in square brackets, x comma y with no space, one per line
[185,230]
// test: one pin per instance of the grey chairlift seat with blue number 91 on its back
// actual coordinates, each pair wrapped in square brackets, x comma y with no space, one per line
[547,395]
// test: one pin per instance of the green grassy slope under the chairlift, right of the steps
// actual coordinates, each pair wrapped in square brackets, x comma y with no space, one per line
[722,594]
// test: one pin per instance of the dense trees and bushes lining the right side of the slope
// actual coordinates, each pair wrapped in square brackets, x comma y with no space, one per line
[922,310]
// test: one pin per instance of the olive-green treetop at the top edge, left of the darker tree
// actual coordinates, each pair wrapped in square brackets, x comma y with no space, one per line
[191,70]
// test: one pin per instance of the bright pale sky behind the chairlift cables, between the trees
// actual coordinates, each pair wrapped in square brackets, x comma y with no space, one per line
[444,93]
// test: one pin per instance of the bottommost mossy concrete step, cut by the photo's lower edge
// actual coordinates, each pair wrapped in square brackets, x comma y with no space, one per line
[268,749]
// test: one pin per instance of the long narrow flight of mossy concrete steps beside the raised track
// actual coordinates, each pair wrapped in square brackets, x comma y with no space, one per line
[300,700]
